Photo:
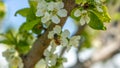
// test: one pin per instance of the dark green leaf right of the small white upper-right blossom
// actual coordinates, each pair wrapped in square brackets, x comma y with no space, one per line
[95,22]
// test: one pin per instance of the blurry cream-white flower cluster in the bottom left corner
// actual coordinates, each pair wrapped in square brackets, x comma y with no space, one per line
[13,59]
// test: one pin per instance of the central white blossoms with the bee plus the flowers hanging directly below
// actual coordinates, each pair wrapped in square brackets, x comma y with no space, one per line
[59,37]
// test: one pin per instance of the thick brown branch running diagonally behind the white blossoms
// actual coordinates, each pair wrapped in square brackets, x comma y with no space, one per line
[36,52]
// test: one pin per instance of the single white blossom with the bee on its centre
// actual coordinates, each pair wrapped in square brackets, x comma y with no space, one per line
[61,36]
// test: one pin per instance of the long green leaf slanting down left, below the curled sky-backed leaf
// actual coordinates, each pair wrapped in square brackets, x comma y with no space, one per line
[29,25]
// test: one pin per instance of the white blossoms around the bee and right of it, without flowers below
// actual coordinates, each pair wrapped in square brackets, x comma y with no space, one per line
[60,37]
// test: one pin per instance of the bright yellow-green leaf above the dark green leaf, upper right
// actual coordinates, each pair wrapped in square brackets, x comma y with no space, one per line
[103,16]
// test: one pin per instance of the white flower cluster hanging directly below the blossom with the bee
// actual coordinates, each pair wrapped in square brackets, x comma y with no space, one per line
[52,58]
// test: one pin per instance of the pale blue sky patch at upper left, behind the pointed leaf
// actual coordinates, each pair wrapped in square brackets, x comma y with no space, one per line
[10,20]
